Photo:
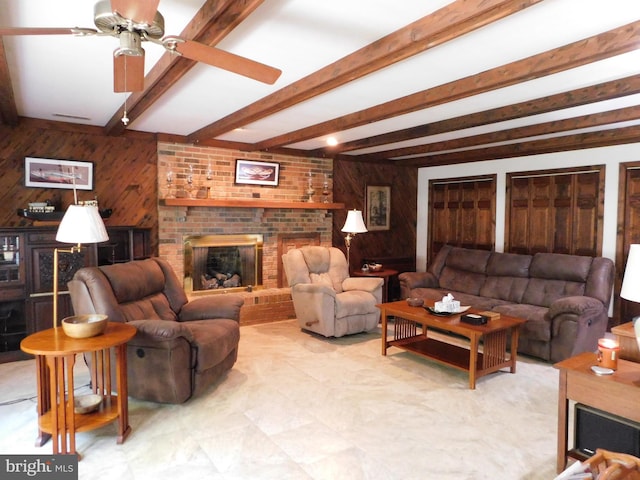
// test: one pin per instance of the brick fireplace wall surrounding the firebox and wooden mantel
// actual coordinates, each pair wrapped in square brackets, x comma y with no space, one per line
[213,171]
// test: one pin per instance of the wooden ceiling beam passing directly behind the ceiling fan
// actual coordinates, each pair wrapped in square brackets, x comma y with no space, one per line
[214,21]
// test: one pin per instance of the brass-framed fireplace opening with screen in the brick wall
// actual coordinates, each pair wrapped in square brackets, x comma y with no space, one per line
[222,262]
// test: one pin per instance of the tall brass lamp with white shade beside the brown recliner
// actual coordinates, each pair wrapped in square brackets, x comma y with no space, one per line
[80,224]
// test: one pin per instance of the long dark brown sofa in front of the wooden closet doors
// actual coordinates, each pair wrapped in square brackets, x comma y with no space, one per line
[564,298]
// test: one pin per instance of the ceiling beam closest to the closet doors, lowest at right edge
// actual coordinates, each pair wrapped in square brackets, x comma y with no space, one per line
[601,138]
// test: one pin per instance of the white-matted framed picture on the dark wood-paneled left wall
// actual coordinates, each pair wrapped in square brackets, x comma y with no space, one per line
[48,173]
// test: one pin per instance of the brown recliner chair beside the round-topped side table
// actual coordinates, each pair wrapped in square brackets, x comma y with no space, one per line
[181,346]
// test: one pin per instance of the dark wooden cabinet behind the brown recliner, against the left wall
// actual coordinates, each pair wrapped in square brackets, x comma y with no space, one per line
[26,277]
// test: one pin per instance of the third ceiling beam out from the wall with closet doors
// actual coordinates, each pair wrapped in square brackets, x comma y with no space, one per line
[574,98]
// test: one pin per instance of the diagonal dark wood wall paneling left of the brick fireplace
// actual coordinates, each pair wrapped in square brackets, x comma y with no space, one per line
[125,169]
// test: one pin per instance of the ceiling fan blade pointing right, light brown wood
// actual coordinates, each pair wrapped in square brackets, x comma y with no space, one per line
[228,61]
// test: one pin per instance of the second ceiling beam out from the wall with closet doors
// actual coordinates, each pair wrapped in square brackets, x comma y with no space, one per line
[546,128]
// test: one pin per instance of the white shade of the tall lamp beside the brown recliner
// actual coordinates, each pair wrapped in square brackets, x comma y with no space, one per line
[82,224]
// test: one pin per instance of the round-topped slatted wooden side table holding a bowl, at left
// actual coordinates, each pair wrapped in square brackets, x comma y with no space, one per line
[55,355]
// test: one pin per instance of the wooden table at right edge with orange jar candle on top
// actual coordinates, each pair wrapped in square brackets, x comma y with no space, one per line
[618,394]
